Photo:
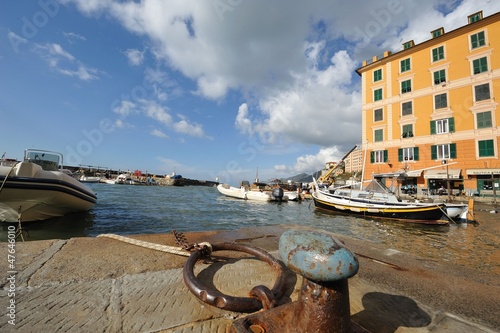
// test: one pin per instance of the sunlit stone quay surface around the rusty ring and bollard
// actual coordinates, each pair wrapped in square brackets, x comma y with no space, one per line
[105,285]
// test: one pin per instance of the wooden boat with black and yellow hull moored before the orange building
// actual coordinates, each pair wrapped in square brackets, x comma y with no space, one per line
[376,200]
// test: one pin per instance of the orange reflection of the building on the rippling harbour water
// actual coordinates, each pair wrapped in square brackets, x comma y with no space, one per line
[468,245]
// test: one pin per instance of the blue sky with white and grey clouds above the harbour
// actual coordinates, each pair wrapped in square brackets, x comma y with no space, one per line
[232,89]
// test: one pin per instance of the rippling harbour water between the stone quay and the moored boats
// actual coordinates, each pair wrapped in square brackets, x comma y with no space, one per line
[132,210]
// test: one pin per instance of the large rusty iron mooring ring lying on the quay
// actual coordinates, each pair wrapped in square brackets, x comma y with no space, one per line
[261,295]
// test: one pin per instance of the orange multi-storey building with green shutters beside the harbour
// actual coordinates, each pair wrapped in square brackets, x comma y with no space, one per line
[430,109]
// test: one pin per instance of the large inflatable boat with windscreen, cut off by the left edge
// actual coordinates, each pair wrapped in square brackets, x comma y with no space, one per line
[37,188]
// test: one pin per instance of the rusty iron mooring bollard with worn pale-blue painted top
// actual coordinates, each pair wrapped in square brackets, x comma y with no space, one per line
[323,302]
